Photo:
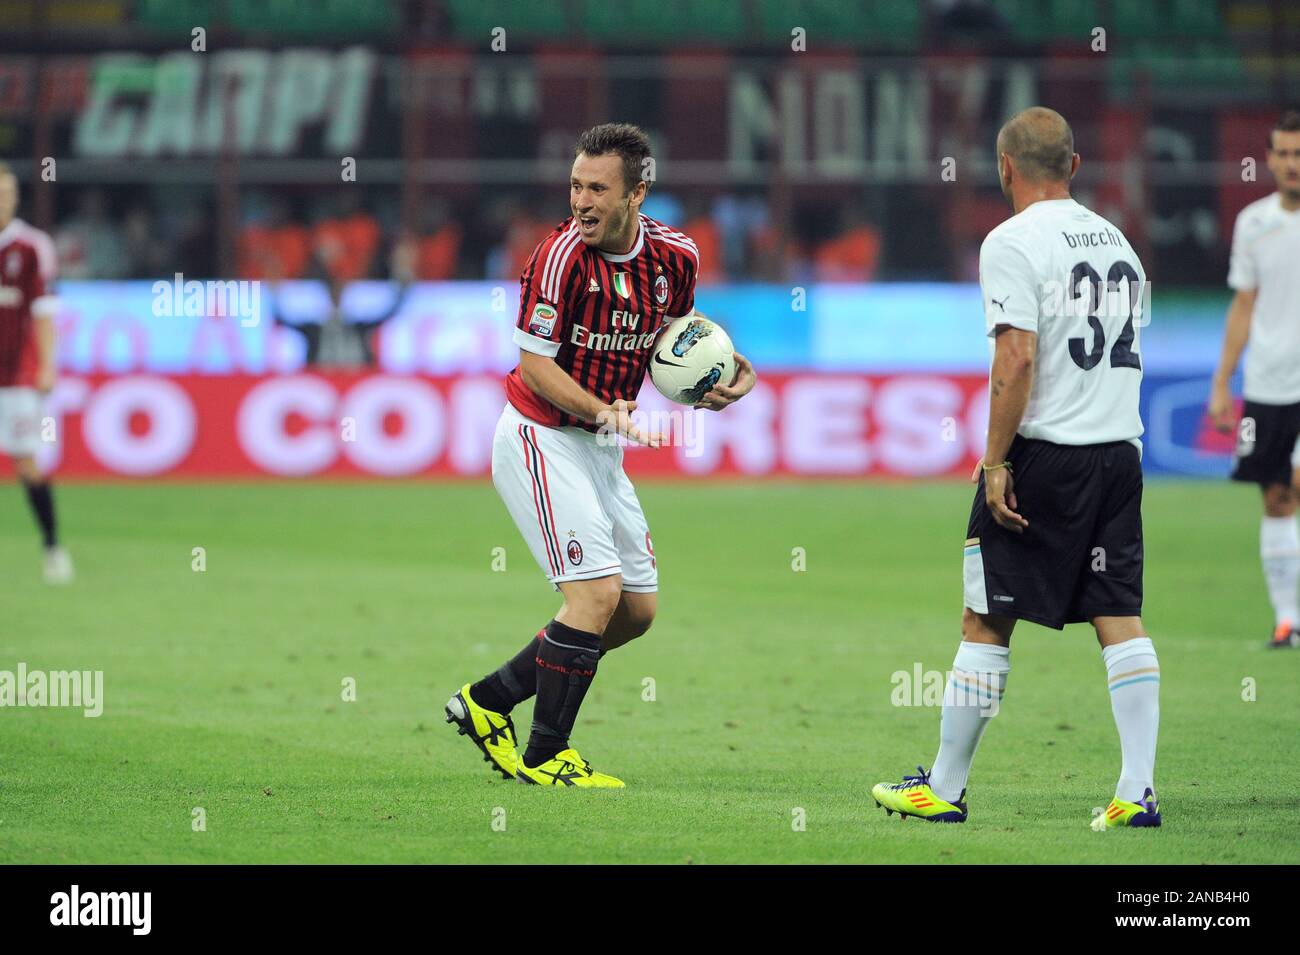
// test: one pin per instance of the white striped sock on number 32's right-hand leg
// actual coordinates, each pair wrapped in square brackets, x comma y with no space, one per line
[1134,676]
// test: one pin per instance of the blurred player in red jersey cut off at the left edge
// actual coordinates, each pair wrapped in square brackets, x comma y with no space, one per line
[28,361]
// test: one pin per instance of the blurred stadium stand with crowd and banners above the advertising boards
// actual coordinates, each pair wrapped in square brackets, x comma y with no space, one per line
[787,166]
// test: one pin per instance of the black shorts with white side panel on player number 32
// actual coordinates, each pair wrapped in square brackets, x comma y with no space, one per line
[1082,554]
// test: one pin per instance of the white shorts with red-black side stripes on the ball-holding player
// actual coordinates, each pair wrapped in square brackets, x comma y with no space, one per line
[573,503]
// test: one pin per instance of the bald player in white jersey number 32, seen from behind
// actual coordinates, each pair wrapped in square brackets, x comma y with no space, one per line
[1055,533]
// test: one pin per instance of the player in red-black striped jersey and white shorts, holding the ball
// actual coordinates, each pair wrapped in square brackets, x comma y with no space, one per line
[593,297]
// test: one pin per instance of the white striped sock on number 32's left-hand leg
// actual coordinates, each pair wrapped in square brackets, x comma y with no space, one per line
[970,701]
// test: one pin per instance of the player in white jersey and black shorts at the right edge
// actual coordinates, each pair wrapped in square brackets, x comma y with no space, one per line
[1264,272]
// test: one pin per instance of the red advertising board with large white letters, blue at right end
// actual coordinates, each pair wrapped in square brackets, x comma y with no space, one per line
[389,426]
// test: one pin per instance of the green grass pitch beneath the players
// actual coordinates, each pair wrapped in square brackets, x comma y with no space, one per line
[773,687]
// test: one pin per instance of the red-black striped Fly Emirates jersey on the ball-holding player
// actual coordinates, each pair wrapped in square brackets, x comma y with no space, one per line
[599,314]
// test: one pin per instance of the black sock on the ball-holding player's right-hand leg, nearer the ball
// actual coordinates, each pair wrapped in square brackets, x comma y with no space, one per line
[566,667]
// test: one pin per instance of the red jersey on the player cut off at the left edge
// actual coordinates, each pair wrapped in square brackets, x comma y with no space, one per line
[27,279]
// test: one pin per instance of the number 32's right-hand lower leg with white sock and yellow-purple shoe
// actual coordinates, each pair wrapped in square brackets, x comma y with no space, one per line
[1133,674]
